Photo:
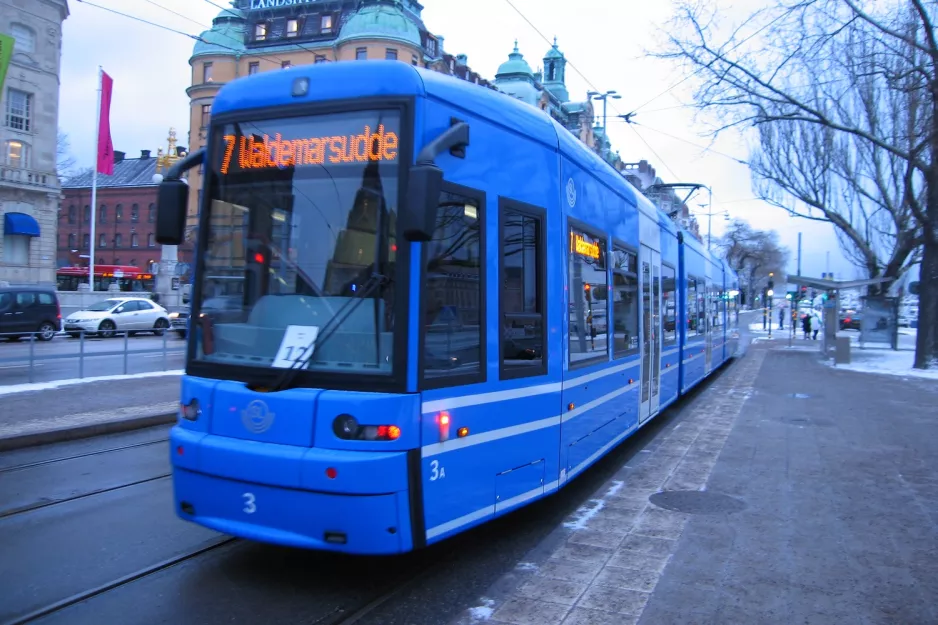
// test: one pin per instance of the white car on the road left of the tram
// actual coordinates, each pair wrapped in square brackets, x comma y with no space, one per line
[119,314]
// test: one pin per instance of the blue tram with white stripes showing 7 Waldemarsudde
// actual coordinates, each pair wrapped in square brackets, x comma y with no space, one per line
[446,308]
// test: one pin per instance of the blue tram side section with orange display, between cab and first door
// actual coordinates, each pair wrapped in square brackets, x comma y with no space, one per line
[601,353]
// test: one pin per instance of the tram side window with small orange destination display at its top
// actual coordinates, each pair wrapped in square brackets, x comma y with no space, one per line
[588,294]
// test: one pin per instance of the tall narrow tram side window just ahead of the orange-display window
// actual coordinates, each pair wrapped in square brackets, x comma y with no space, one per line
[523,291]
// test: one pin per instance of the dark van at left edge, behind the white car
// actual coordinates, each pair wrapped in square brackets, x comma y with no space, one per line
[26,310]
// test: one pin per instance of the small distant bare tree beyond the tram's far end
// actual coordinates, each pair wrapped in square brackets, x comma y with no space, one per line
[753,254]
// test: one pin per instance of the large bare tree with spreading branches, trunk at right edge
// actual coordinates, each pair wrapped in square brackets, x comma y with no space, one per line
[867,74]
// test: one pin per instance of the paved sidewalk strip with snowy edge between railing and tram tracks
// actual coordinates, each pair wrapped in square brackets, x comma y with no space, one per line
[58,411]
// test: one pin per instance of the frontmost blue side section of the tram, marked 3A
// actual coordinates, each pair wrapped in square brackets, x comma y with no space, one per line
[490,440]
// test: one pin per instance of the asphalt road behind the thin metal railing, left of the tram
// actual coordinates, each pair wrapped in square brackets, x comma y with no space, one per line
[62,357]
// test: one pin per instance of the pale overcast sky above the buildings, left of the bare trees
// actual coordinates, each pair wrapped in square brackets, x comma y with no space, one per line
[607,42]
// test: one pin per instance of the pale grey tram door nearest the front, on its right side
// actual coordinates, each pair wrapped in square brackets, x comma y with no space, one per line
[651,333]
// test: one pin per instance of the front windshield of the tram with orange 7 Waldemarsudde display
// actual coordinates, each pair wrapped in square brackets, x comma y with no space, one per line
[300,244]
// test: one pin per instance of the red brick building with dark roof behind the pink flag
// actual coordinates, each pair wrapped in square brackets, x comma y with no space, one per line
[126,216]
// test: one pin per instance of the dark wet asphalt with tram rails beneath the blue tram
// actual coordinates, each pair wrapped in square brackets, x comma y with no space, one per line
[96,517]
